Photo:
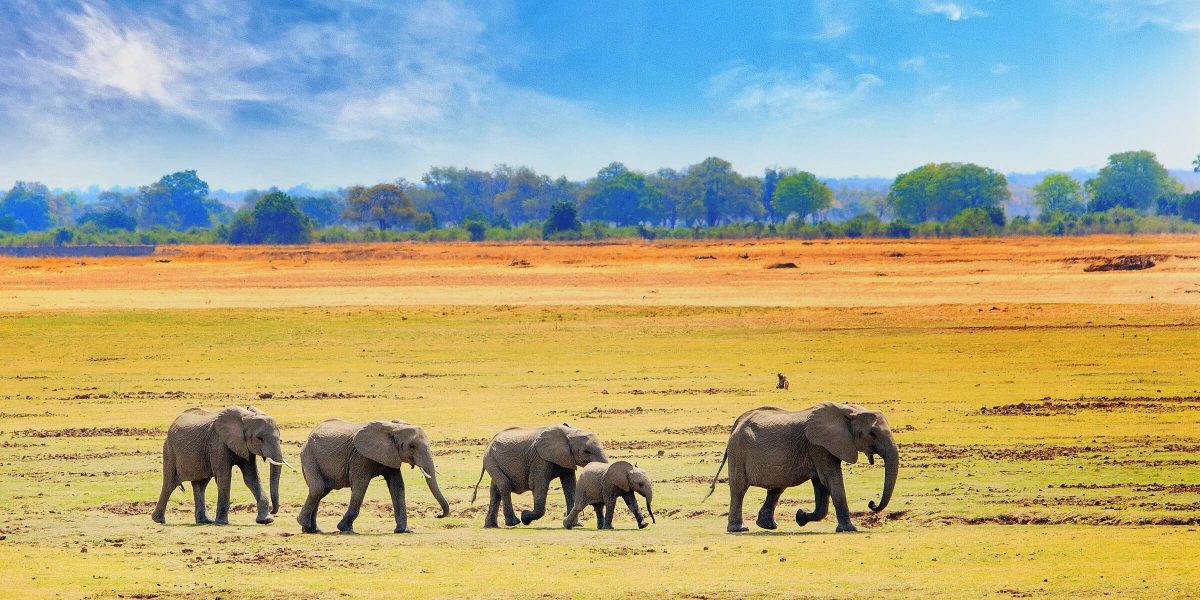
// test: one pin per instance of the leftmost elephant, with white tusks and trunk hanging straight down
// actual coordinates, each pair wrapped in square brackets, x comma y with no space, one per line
[202,446]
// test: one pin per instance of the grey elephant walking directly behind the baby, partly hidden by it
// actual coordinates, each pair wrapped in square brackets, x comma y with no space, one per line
[529,459]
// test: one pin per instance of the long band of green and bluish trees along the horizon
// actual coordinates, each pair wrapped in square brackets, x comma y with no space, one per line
[1132,194]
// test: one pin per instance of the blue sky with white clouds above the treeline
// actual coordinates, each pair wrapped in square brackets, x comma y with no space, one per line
[281,93]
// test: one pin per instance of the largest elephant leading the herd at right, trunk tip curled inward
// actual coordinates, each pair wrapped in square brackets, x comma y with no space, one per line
[777,449]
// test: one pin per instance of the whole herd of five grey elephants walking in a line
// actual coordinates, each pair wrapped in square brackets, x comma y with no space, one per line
[769,448]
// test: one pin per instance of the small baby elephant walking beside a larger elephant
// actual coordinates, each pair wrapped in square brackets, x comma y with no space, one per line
[601,484]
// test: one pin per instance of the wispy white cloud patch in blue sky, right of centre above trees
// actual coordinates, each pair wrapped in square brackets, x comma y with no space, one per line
[788,98]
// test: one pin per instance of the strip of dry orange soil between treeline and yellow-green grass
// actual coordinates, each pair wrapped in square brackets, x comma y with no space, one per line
[837,273]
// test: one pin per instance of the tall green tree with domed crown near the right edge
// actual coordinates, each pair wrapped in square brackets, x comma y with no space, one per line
[1132,181]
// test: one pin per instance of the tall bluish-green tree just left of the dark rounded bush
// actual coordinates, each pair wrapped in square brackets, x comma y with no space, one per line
[179,201]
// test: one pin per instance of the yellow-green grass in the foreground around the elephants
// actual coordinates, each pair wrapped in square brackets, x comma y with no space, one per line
[1093,476]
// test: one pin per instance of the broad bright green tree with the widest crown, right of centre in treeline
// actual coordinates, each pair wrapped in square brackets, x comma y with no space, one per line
[939,191]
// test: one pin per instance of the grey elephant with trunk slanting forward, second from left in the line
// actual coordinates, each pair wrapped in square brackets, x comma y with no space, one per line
[341,454]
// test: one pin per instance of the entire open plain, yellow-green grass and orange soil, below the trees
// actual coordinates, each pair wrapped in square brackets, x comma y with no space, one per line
[1048,417]
